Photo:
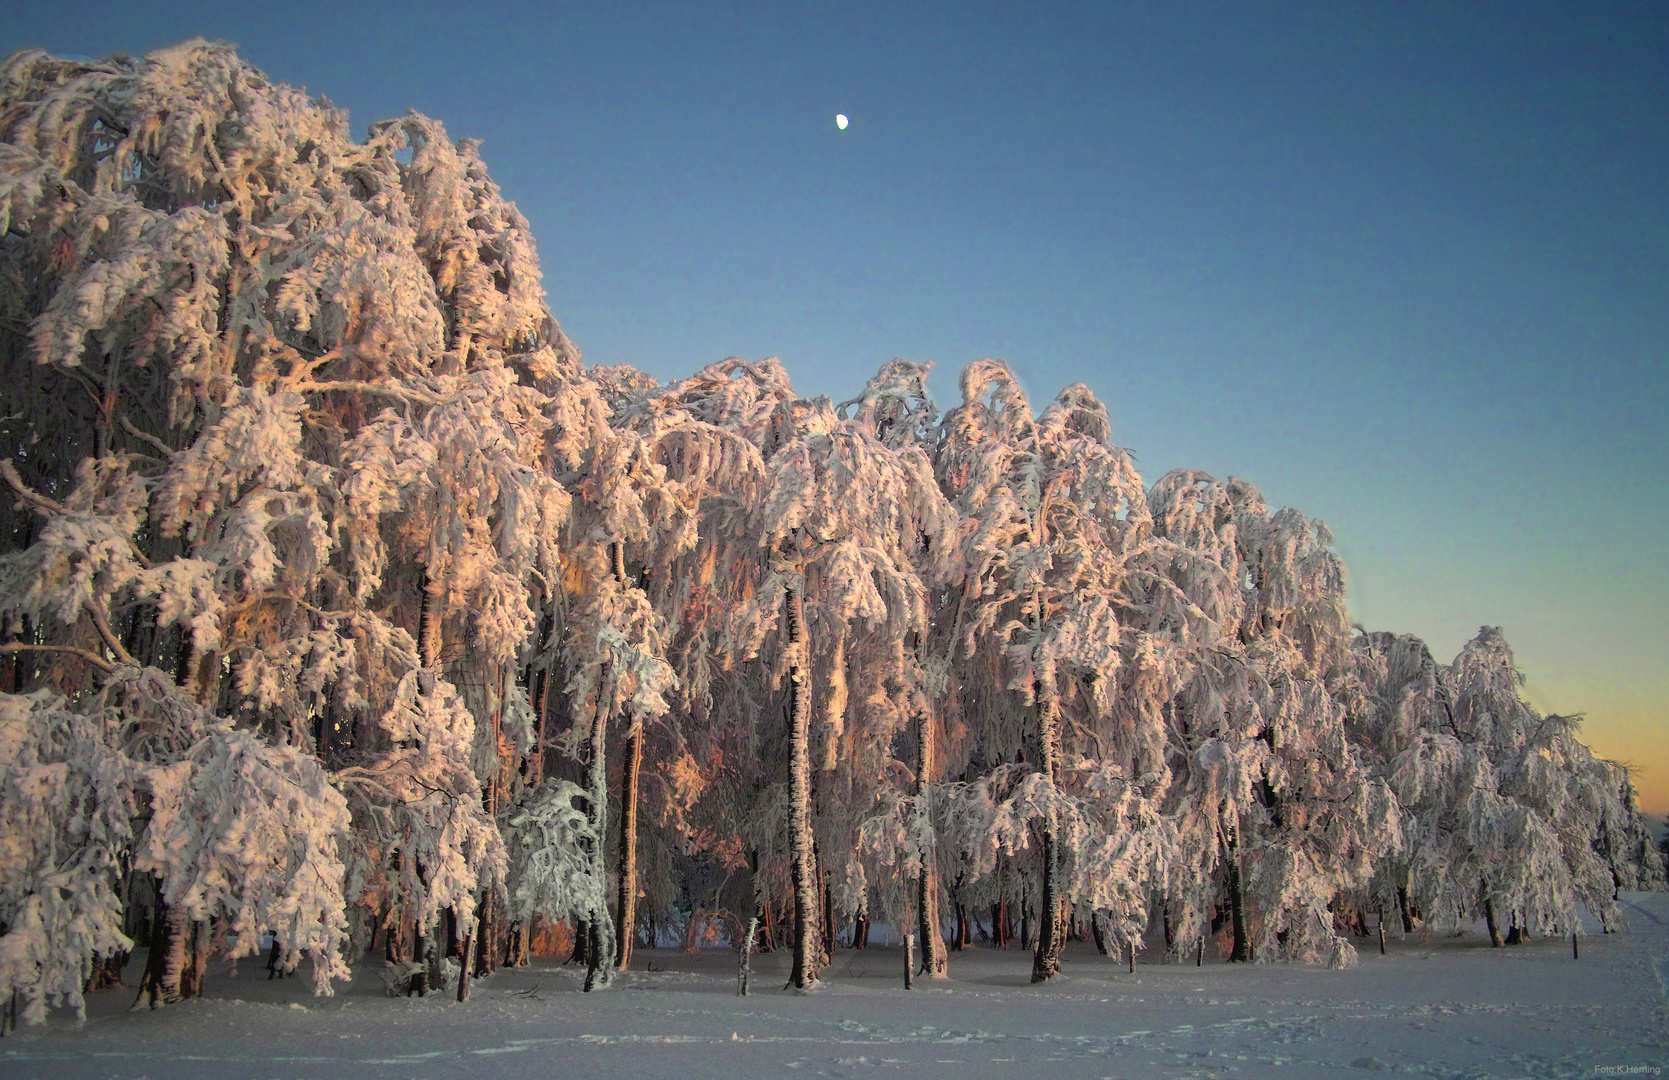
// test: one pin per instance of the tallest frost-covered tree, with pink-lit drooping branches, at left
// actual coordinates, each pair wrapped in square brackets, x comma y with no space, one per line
[321,380]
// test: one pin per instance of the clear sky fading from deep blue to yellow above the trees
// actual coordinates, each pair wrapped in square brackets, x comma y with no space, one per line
[1403,266]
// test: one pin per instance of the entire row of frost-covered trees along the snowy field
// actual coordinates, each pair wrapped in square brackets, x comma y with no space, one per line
[343,603]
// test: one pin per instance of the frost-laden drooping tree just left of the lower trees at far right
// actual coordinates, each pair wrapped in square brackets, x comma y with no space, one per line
[1271,790]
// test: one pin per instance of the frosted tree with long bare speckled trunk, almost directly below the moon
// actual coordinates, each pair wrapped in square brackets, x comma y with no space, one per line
[842,530]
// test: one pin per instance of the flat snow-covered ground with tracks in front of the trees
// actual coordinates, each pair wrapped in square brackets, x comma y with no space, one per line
[1441,1007]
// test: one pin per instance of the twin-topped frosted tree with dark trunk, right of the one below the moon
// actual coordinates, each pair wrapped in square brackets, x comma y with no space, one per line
[1056,515]
